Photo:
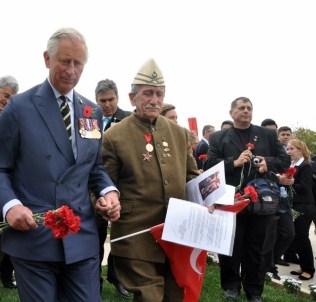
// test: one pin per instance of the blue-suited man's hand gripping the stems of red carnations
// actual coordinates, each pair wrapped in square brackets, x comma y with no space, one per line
[21,218]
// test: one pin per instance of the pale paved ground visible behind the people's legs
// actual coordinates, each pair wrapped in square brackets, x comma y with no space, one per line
[284,271]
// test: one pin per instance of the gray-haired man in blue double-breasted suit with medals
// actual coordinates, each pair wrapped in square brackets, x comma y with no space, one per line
[42,167]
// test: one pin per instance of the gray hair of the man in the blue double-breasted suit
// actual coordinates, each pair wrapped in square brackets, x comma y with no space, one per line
[65,33]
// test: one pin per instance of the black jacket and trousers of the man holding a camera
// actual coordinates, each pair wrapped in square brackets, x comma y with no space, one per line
[255,234]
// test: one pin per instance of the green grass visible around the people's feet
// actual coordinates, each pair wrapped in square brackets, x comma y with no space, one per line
[211,291]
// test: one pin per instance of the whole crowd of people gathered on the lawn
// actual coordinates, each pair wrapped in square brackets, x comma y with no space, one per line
[117,169]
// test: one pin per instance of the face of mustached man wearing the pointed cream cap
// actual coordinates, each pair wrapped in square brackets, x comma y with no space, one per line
[148,101]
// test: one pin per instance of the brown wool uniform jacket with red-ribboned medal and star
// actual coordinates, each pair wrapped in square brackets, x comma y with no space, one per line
[146,185]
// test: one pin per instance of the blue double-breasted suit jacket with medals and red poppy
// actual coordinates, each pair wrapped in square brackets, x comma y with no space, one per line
[37,166]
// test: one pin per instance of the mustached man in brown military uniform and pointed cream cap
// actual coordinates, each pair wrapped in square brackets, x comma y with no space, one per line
[150,159]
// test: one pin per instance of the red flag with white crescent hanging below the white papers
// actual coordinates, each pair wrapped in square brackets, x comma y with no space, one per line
[187,264]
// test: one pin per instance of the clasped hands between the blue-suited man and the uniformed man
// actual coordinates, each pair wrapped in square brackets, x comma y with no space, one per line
[108,206]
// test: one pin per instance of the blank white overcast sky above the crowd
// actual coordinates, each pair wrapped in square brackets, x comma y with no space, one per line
[210,52]
